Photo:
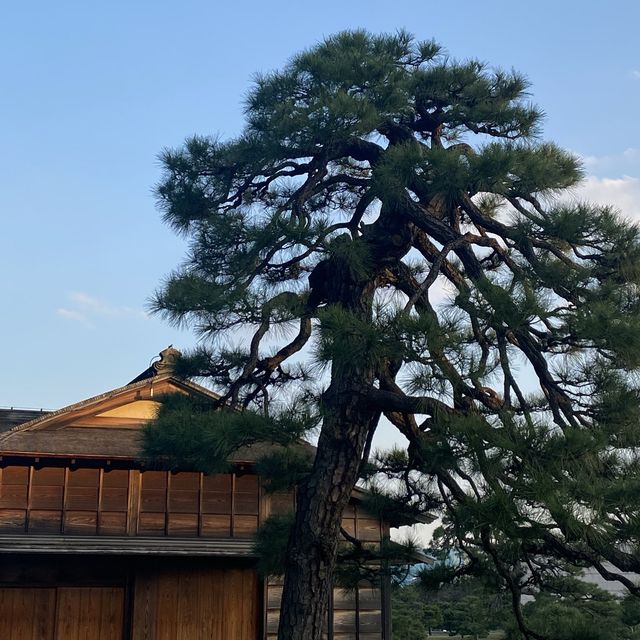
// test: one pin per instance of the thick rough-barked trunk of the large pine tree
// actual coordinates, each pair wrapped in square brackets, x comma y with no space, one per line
[321,499]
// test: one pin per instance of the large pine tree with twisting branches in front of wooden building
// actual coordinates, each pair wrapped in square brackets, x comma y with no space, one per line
[389,238]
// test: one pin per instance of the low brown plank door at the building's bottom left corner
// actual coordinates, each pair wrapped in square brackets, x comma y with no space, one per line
[61,613]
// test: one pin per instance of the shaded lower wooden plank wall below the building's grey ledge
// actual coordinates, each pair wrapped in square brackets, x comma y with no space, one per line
[127,598]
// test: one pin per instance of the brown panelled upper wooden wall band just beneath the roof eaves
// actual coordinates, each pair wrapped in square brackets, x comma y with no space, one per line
[67,501]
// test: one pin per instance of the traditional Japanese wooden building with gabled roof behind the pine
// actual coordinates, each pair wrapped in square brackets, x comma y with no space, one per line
[95,545]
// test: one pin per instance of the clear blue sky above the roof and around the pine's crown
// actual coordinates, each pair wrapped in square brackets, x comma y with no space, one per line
[91,92]
